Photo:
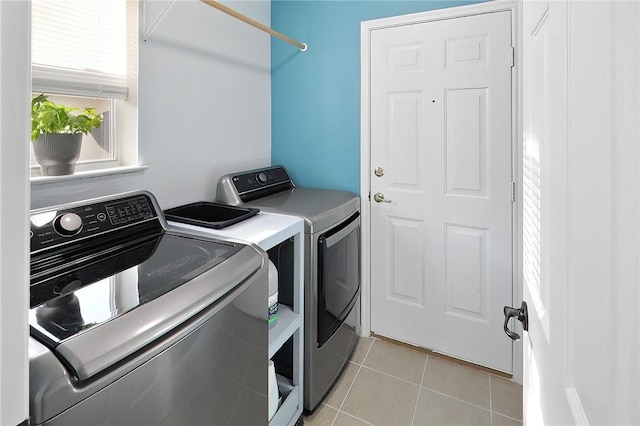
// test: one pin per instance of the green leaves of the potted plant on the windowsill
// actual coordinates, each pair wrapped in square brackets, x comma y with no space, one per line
[48,117]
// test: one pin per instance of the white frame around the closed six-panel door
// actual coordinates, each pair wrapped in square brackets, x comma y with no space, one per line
[516,143]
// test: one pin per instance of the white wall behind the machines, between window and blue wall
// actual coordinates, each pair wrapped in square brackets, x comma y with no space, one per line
[204,105]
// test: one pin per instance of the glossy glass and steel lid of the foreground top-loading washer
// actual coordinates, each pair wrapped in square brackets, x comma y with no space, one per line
[109,309]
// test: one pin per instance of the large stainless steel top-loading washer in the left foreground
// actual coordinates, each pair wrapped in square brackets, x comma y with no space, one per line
[136,323]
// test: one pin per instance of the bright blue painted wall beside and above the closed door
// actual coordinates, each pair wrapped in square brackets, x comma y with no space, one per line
[315,129]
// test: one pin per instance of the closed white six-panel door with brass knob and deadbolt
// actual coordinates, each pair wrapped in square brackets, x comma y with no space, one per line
[441,139]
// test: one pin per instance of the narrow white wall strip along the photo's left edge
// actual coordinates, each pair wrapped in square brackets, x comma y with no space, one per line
[15,85]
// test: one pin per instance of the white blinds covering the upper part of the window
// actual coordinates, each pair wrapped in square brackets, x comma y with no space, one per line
[79,47]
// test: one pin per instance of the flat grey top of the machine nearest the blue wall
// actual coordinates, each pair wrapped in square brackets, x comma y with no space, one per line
[320,208]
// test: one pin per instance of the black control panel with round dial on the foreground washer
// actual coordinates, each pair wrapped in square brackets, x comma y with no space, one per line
[51,227]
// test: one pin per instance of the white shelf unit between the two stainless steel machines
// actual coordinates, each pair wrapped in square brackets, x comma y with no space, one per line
[268,230]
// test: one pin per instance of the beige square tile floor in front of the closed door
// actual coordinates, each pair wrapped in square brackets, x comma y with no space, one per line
[390,384]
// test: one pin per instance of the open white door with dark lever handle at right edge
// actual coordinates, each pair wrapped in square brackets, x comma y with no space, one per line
[581,212]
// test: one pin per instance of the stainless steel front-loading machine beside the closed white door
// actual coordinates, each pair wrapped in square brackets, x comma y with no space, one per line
[332,266]
